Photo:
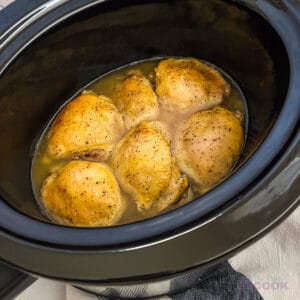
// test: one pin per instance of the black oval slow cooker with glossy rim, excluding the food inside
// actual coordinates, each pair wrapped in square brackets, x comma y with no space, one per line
[51,49]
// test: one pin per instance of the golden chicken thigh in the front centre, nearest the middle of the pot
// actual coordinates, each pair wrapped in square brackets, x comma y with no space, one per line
[145,168]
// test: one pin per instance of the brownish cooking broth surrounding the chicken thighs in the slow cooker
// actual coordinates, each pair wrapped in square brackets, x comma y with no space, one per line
[44,164]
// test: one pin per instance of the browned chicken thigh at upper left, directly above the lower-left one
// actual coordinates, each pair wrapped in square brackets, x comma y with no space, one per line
[89,127]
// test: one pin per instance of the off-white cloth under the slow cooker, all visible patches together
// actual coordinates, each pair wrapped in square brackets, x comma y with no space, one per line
[273,264]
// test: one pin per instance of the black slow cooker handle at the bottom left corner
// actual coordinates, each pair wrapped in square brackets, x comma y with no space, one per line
[12,282]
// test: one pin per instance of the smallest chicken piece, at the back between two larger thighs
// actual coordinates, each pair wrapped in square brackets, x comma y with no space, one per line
[136,98]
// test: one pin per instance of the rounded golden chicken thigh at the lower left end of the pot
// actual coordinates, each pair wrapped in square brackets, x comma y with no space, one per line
[83,193]
